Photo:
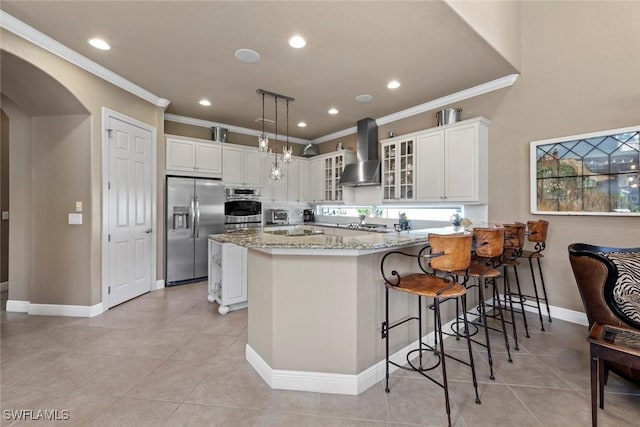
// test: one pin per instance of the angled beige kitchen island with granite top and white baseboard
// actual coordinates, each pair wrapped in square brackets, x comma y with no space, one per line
[317,306]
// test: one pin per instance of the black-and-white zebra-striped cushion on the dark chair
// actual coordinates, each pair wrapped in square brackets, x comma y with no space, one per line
[626,291]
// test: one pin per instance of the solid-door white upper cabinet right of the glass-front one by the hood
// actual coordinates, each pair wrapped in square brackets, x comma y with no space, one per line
[452,163]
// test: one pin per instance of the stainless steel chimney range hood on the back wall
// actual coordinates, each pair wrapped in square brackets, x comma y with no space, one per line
[367,170]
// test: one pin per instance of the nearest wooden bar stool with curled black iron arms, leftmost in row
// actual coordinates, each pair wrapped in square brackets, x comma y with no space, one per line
[448,254]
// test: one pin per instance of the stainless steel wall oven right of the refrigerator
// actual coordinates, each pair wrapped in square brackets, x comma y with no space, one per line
[242,208]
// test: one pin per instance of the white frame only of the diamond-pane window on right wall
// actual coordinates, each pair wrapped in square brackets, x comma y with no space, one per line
[533,167]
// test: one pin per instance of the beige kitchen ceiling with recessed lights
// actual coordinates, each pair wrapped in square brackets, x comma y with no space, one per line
[184,51]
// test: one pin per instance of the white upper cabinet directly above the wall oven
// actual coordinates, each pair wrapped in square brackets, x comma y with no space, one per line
[241,166]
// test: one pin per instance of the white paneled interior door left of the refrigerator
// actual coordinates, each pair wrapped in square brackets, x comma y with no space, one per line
[129,212]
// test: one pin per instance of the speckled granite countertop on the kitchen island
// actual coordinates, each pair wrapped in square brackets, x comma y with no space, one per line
[257,238]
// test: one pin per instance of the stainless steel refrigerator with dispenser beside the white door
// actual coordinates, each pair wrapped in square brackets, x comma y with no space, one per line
[195,209]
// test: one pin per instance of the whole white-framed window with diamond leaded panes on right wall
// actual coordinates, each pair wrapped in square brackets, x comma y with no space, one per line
[591,174]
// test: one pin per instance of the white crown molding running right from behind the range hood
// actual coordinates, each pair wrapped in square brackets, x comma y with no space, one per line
[481,89]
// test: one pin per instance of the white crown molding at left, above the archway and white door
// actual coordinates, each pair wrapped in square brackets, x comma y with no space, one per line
[39,39]
